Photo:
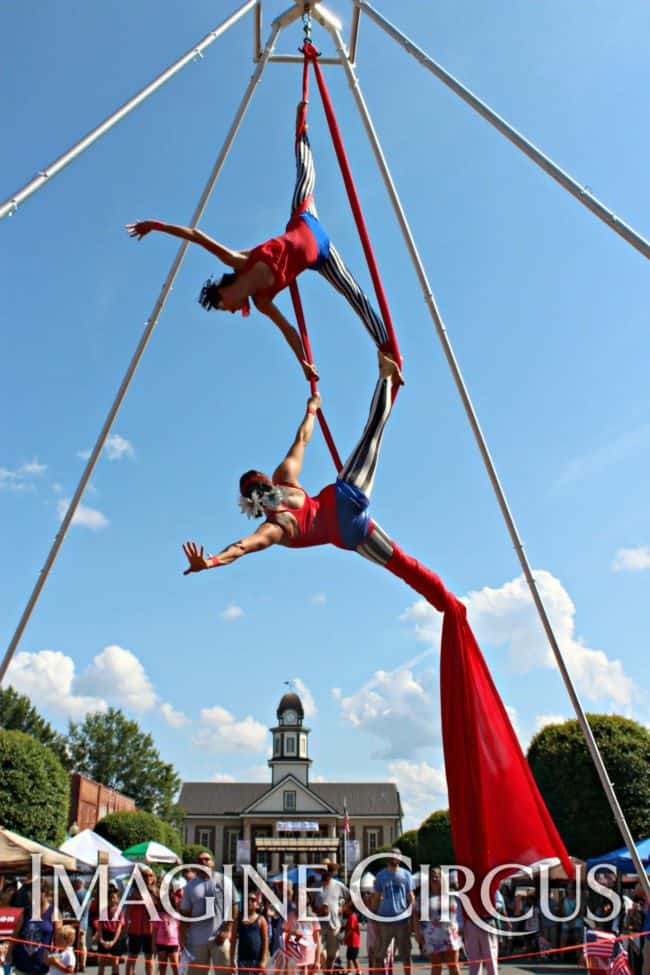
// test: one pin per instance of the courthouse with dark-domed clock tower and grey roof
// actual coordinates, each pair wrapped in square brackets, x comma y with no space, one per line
[290,819]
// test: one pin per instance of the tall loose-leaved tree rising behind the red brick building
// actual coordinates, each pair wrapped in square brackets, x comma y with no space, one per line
[111,749]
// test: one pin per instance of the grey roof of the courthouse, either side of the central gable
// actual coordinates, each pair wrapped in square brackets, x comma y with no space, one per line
[229,798]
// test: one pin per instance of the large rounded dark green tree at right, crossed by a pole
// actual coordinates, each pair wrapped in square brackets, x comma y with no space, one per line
[571,788]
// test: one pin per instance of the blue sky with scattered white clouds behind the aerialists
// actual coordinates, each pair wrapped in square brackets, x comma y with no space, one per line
[546,307]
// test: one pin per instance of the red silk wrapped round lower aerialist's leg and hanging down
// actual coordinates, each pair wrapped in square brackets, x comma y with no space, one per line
[497,813]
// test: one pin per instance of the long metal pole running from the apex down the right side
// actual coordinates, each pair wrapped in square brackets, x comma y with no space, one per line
[487,459]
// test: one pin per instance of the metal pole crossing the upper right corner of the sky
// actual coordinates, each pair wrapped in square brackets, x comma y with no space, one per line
[581,193]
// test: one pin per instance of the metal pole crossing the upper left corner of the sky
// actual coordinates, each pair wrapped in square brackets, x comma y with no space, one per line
[45,175]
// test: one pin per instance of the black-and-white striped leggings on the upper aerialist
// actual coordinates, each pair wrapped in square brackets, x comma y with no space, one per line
[333,269]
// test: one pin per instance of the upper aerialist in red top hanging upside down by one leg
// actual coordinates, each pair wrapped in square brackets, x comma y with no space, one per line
[260,273]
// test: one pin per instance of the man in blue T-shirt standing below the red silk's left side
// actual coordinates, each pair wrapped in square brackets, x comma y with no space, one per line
[393,902]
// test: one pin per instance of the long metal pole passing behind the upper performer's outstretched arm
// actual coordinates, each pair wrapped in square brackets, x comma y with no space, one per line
[135,361]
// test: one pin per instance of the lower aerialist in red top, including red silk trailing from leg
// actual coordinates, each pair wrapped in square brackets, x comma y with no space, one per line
[487,774]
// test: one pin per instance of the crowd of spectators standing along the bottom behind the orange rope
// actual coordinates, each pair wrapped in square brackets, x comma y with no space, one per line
[204,924]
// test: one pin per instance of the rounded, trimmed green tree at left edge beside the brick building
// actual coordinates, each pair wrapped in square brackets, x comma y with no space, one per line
[34,788]
